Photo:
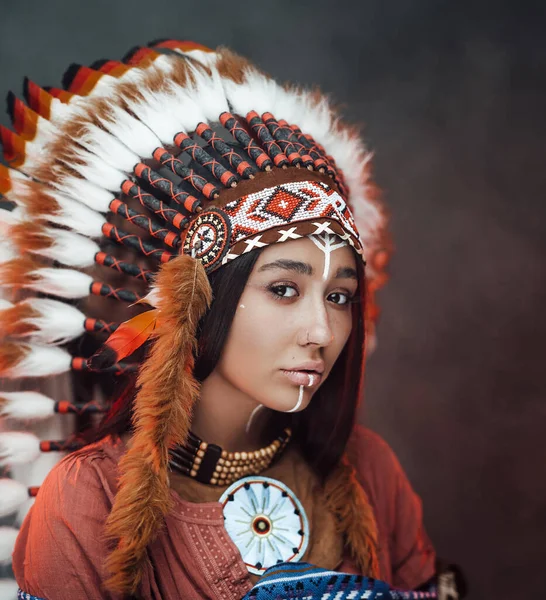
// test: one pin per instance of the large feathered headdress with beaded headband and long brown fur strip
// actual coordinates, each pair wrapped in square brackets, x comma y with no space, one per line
[158,170]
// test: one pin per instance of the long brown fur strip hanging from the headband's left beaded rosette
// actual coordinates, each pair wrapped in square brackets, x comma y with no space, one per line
[163,407]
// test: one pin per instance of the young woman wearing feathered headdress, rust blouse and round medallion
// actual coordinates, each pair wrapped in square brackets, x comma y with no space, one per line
[235,448]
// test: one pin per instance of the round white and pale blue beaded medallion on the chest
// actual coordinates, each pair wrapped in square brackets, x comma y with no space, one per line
[266,522]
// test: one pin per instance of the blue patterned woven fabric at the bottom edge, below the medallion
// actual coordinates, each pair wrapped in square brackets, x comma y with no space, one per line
[302,581]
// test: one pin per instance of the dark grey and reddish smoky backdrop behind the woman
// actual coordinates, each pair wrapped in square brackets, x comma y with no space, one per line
[453,103]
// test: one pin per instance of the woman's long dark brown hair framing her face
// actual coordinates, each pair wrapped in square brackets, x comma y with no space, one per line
[323,429]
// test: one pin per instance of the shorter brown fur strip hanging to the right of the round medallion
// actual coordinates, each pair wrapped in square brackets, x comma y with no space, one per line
[346,498]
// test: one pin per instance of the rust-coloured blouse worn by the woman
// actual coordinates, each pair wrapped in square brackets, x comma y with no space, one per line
[60,550]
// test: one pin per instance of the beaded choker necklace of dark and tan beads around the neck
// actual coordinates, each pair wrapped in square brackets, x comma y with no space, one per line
[208,463]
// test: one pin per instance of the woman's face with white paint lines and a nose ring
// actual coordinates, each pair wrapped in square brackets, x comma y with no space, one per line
[292,322]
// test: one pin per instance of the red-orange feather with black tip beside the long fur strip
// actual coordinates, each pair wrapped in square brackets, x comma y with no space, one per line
[127,338]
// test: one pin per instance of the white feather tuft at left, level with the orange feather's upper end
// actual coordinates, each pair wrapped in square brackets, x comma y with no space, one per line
[58,322]
